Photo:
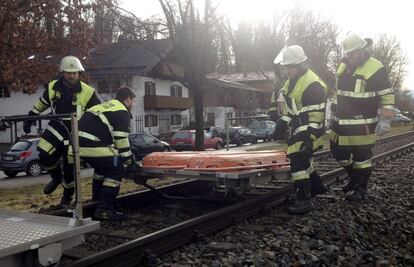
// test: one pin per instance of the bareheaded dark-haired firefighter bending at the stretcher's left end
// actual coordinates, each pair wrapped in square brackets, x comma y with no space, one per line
[104,144]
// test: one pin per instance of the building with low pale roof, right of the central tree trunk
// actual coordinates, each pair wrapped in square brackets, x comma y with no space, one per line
[237,95]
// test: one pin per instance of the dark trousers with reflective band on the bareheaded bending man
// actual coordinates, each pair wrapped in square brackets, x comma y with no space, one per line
[107,178]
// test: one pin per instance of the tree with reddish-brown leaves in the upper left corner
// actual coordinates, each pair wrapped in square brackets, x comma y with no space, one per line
[32,32]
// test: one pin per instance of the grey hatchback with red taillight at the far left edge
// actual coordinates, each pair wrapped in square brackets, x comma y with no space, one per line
[22,157]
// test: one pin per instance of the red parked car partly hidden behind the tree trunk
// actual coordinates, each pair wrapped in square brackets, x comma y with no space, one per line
[185,140]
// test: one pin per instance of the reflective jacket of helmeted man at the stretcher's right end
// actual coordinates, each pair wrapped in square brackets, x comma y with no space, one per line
[304,110]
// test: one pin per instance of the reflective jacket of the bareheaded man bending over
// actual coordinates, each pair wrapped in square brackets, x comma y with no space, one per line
[104,131]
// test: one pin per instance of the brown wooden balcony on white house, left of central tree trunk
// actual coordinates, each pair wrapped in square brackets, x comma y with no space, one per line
[167,102]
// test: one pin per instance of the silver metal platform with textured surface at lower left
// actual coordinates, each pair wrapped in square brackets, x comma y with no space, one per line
[22,232]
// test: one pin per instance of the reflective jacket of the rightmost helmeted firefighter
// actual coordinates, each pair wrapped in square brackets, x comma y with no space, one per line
[358,95]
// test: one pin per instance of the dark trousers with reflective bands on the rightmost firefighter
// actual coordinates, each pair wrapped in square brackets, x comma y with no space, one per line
[356,160]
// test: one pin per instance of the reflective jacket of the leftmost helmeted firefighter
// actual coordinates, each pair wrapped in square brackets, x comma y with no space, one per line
[64,100]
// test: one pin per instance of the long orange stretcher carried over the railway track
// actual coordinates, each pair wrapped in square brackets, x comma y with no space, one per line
[216,162]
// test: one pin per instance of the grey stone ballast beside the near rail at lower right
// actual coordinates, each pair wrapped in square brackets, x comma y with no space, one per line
[379,232]
